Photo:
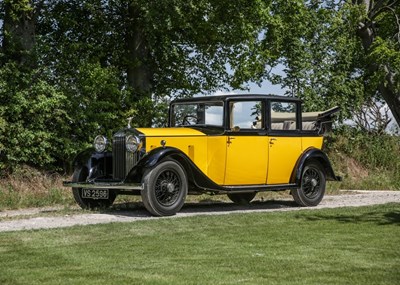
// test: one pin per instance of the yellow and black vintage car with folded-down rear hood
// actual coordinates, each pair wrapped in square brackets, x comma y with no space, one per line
[231,144]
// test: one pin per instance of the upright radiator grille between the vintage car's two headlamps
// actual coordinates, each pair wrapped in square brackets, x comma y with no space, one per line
[123,161]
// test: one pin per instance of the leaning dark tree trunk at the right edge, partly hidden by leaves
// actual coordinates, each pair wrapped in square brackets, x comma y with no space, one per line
[367,35]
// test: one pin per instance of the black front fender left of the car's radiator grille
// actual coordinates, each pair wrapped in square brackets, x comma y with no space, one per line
[97,164]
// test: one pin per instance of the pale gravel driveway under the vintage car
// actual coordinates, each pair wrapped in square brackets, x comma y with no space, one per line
[46,218]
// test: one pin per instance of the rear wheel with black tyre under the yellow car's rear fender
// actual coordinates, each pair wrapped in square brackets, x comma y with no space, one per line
[312,185]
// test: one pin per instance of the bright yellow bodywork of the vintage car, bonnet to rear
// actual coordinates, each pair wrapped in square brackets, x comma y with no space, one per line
[236,160]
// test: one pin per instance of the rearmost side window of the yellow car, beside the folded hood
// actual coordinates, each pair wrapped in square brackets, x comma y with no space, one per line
[283,116]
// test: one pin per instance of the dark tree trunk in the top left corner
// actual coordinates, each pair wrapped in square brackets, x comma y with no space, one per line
[19,32]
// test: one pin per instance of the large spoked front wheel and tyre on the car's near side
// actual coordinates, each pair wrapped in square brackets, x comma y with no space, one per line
[165,188]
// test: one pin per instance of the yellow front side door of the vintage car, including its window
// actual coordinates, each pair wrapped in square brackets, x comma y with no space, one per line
[246,145]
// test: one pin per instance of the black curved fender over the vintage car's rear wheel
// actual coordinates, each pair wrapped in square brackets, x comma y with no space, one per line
[317,155]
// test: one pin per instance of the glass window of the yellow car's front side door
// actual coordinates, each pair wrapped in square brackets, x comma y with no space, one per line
[246,115]
